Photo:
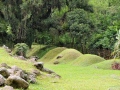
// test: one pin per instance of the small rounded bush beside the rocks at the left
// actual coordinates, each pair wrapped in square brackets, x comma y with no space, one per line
[21,49]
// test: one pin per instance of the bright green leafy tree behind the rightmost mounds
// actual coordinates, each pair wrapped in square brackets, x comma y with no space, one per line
[104,40]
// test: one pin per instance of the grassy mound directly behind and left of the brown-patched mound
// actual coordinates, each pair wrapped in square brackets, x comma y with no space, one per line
[52,53]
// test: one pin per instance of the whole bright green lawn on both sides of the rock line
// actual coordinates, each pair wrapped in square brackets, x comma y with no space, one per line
[72,77]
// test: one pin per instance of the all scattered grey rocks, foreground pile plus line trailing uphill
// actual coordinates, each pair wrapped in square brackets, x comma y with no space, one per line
[15,78]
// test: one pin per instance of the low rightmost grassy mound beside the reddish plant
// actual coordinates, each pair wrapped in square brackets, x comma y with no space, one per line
[106,64]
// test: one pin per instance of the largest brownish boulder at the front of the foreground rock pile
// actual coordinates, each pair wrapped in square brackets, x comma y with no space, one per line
[17,82]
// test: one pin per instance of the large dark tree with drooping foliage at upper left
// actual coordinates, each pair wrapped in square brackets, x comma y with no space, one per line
[25,16]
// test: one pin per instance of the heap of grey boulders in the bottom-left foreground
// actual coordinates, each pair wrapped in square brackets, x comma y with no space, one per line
[16,77]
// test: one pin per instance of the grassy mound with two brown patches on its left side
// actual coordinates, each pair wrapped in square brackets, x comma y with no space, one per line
[67,56]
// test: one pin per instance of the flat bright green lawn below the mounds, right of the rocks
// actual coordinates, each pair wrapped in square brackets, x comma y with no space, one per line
[79,78]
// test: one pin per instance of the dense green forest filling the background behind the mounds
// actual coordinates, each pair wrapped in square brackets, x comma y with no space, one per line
[89,26]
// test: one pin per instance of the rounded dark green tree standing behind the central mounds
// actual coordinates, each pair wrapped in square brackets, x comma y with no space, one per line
[79,26]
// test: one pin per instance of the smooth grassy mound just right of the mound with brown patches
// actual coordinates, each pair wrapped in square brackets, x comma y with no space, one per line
[87,59]
